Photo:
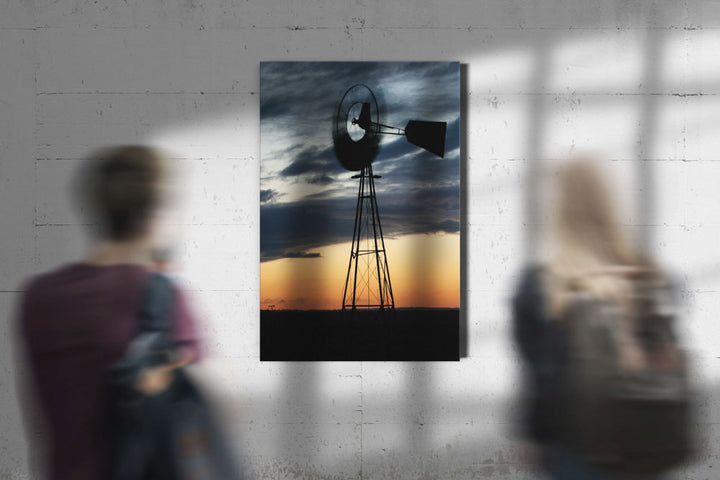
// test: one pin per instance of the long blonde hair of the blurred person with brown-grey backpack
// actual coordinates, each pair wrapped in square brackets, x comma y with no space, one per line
[591,254]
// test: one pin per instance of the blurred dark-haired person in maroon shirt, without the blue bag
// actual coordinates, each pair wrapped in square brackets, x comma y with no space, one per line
[76,321]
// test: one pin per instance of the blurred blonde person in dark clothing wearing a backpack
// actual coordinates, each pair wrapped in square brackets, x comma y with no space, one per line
[592,265]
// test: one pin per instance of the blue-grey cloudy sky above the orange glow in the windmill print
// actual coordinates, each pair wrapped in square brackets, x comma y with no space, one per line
[418,192]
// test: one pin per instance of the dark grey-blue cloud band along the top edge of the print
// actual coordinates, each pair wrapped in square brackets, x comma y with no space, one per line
[302,97]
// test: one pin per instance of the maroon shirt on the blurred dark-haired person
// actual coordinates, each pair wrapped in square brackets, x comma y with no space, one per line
[75,322]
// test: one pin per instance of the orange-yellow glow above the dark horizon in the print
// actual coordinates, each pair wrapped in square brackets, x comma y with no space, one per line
[424,271]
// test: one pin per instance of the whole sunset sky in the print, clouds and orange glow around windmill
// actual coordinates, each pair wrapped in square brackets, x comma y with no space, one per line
[308,199]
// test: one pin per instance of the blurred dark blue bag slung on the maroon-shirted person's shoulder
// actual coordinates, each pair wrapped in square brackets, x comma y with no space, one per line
[173,435]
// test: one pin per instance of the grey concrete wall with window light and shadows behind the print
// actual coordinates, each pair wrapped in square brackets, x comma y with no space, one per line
[635,80]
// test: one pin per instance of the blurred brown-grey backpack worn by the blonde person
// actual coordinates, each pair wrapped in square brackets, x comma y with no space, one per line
[626,393]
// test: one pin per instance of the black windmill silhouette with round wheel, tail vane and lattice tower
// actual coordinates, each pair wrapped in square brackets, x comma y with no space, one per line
[356,137]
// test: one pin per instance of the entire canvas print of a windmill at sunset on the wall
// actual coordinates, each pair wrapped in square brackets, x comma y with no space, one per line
[359,210]
